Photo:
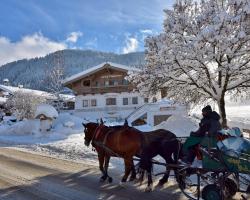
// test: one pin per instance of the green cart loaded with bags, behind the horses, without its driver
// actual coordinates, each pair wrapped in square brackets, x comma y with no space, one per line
[225,168]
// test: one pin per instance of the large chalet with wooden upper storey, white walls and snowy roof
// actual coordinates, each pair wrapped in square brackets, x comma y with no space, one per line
[103,91]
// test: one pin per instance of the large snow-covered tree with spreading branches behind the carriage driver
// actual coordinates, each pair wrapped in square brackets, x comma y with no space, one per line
[203,52]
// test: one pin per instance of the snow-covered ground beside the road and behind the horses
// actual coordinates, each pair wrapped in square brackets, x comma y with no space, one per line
[66,138]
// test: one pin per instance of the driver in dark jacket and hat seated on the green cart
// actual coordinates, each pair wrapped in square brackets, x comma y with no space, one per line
[209,125]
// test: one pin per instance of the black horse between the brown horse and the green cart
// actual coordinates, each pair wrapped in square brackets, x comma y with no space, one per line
[166,147]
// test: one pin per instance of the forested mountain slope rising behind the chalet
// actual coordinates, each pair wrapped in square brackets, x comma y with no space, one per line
[32,73]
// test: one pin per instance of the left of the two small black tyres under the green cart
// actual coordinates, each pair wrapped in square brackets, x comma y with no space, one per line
[211,192]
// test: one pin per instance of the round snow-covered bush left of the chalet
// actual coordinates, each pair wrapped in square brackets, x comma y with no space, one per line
[23,105]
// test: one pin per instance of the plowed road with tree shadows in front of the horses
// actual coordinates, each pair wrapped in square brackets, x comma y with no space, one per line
[26,176]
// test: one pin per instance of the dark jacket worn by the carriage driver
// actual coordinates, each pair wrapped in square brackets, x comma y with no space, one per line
[209,124]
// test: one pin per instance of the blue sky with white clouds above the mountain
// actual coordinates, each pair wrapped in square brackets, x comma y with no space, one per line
[30,28]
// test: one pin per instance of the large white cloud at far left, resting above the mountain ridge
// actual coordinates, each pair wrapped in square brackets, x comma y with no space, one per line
[29,46]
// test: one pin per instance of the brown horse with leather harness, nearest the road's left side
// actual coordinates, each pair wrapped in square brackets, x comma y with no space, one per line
[117,141]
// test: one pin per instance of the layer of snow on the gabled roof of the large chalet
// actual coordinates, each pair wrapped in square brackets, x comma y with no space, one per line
[97,68]
